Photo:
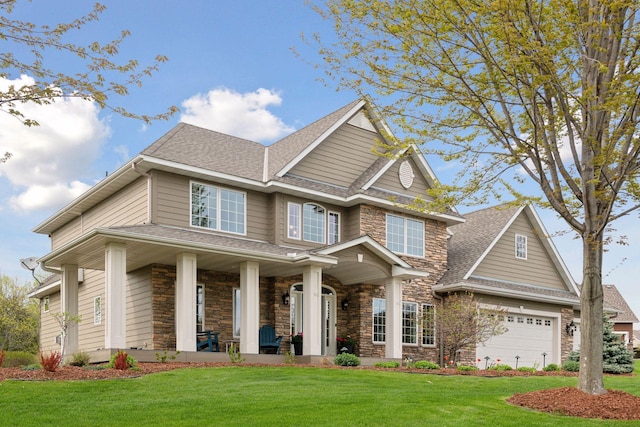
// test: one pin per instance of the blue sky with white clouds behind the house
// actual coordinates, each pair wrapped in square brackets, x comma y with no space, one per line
[232,69]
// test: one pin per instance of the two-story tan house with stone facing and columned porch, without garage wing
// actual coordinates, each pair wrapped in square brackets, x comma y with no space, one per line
[205,231]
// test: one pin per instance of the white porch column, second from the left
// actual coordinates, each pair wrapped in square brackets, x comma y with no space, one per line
[115,276]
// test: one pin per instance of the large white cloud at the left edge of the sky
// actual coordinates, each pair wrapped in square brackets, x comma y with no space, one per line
[47,160]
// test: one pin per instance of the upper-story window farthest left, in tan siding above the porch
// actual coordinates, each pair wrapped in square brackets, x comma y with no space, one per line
[218,208]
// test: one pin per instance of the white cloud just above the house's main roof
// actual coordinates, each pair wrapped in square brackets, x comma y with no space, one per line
[242,115]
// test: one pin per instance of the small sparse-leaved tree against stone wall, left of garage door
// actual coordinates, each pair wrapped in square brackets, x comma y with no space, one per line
[461,323]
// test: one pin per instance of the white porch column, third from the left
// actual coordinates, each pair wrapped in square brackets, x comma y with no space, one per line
[186,277]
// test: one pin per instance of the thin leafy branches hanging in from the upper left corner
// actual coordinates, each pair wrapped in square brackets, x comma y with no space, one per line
[99,78]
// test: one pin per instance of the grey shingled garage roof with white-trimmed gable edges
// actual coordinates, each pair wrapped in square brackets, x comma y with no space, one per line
[472,241]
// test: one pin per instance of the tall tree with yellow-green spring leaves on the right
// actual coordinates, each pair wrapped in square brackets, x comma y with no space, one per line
[542,92]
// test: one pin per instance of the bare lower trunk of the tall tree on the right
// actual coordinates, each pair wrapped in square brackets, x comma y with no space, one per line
[590,379]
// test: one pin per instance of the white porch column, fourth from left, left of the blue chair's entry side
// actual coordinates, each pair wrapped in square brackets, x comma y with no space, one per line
[249,307]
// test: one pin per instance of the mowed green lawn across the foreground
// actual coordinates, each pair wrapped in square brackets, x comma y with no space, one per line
[298,396]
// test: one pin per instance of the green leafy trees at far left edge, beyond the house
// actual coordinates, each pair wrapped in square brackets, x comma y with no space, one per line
[19,317]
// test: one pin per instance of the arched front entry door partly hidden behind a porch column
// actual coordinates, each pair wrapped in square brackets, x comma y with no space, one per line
[328,313]
